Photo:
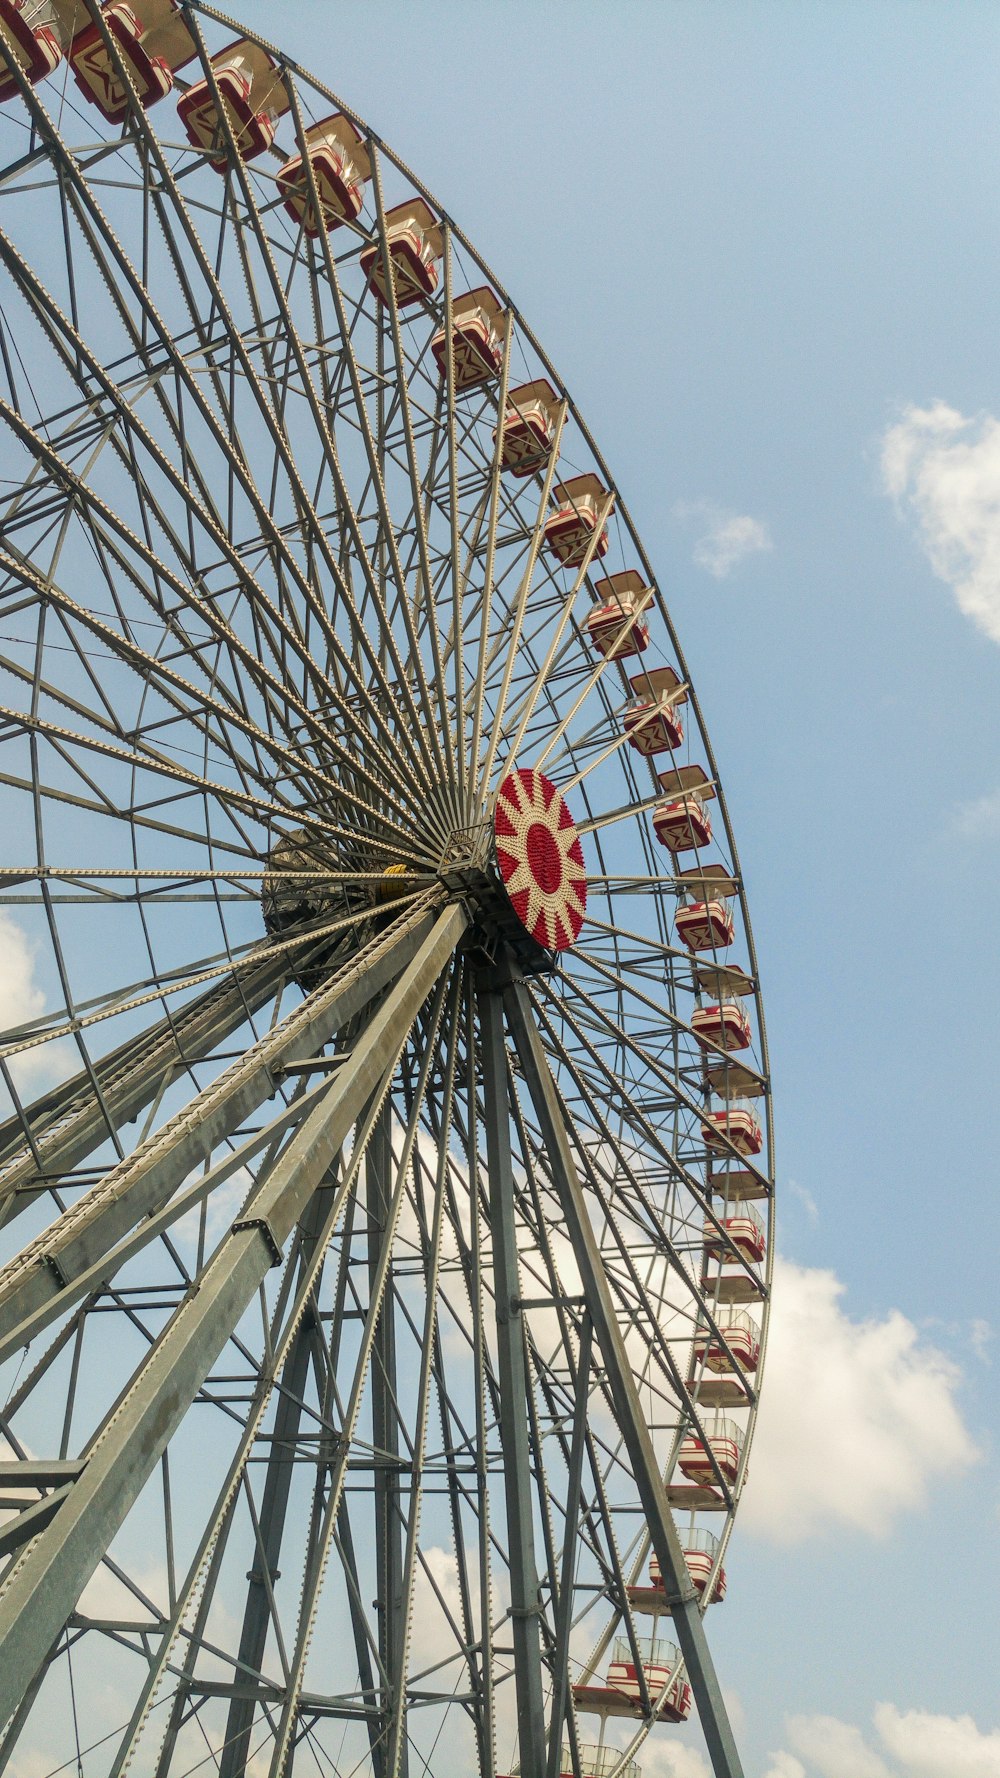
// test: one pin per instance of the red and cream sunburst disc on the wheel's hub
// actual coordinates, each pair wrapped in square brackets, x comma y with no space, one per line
[540,858]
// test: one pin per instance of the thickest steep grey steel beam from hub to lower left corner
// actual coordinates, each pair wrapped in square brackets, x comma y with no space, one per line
[44,1587]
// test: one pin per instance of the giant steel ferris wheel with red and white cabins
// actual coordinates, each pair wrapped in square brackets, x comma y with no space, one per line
[385,1148]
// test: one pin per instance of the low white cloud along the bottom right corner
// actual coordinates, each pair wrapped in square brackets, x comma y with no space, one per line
[917,1743]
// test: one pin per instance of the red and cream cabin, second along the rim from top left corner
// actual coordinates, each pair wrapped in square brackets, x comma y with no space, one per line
[154,44]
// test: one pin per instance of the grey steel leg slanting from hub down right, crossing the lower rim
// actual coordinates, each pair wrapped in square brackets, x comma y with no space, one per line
[622,1386]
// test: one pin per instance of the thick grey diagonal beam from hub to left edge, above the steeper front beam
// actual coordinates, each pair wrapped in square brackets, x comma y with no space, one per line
[42,1277]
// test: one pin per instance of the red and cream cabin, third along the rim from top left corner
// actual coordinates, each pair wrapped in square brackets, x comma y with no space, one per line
[252,100]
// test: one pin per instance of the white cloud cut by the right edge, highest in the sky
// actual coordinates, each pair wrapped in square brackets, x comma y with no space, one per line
[944,472]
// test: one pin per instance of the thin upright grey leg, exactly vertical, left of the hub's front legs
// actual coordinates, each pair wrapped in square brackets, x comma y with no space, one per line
[385,1439]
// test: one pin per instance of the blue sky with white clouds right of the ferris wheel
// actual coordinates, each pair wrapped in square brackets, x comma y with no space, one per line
[757,239]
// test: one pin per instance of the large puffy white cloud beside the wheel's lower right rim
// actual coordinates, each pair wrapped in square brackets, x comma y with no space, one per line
[857,1416]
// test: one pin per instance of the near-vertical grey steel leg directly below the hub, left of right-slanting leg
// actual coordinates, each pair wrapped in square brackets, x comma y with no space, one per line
[513,1395]
